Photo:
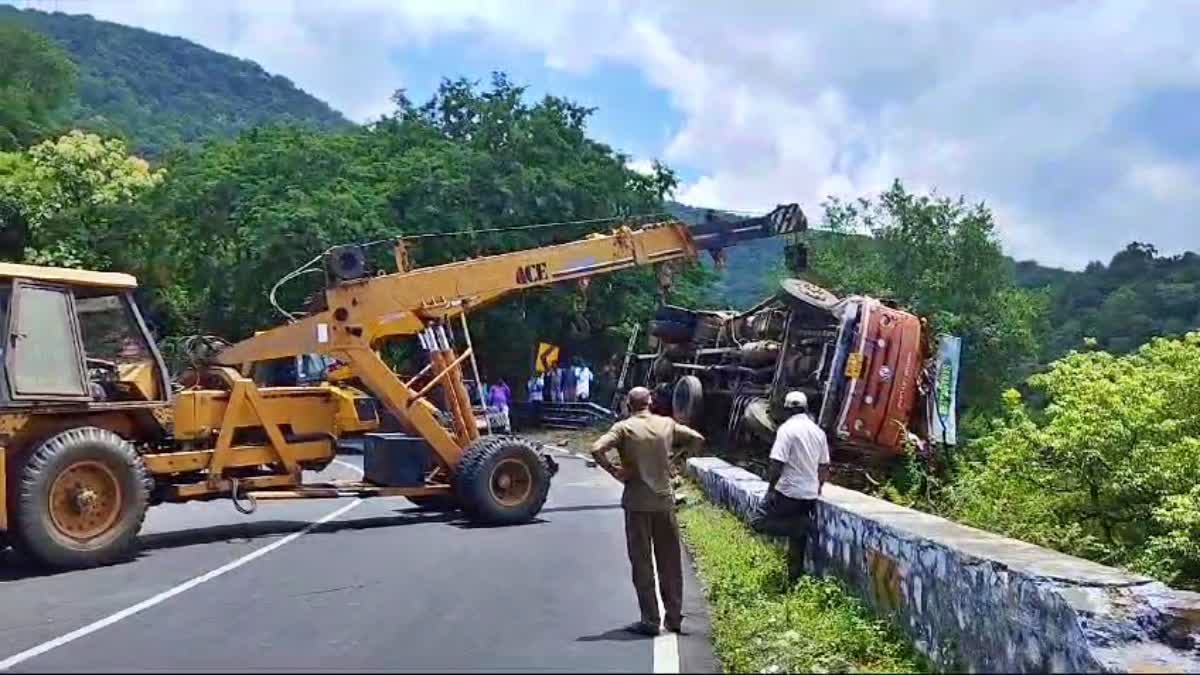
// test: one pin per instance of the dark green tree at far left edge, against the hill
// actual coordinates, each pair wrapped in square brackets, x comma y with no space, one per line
[37,77]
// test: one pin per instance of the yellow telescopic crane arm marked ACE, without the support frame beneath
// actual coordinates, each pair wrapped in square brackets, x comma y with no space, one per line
[404,303]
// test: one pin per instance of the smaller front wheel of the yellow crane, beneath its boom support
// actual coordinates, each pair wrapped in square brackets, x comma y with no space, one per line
[502,481]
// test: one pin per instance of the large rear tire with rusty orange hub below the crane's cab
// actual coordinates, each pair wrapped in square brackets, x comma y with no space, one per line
[81,500]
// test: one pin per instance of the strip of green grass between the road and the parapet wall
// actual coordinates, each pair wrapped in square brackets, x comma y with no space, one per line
[760,625]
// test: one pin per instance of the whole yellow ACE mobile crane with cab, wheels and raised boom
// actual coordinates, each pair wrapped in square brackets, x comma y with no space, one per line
[92,432]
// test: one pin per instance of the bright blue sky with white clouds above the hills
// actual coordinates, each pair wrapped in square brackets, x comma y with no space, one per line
[1078,123]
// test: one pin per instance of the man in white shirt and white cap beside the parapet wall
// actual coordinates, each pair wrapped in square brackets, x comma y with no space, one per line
[800,468]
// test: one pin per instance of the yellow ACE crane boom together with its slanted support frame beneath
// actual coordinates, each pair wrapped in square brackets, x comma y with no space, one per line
[363,310]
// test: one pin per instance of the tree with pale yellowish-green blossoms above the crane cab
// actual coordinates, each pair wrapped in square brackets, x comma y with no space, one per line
[53,200]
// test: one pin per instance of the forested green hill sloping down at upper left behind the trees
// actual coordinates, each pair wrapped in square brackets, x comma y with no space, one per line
[160,92]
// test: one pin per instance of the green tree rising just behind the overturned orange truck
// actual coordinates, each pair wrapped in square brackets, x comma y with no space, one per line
[940,259]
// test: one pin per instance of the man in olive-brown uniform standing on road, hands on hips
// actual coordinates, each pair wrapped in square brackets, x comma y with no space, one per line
[645,443]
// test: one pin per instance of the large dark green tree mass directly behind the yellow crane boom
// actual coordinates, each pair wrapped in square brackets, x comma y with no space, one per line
[236,216]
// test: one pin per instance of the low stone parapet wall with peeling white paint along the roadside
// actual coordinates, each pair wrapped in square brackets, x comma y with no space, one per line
[980,602]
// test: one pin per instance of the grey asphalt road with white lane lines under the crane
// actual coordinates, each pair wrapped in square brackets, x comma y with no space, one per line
[353,586]
